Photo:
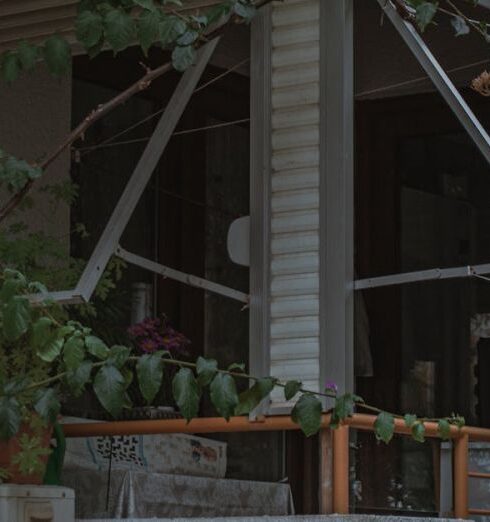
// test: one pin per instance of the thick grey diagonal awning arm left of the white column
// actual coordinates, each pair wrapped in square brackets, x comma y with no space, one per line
[142,174]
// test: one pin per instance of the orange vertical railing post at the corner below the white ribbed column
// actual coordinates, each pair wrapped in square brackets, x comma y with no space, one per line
[341,470]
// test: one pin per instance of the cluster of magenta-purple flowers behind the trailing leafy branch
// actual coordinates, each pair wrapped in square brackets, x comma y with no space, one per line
[155,334]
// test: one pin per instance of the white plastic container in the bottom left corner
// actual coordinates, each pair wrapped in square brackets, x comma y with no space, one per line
[20,503]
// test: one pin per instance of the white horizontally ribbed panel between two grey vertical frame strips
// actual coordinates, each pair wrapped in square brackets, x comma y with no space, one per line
[295,193]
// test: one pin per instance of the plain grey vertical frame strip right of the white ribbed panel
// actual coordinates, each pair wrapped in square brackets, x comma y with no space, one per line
[337,196]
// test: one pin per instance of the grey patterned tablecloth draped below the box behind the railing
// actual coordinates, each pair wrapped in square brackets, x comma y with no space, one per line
[133,494]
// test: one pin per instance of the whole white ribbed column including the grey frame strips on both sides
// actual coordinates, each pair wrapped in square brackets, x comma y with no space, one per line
[305,172]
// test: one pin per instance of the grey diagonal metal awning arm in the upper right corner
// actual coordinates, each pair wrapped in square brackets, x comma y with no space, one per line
[440,79]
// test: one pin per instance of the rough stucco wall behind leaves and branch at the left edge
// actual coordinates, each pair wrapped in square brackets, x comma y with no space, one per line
[35,116]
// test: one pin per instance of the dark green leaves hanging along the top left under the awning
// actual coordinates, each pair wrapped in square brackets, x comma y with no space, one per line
[118,24]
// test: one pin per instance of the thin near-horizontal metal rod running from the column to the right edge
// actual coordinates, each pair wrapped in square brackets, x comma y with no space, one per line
[422,275]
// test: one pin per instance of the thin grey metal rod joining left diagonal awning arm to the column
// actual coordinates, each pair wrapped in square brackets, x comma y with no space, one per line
[171,273]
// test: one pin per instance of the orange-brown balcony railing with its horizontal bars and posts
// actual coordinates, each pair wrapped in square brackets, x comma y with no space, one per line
[336,446]
